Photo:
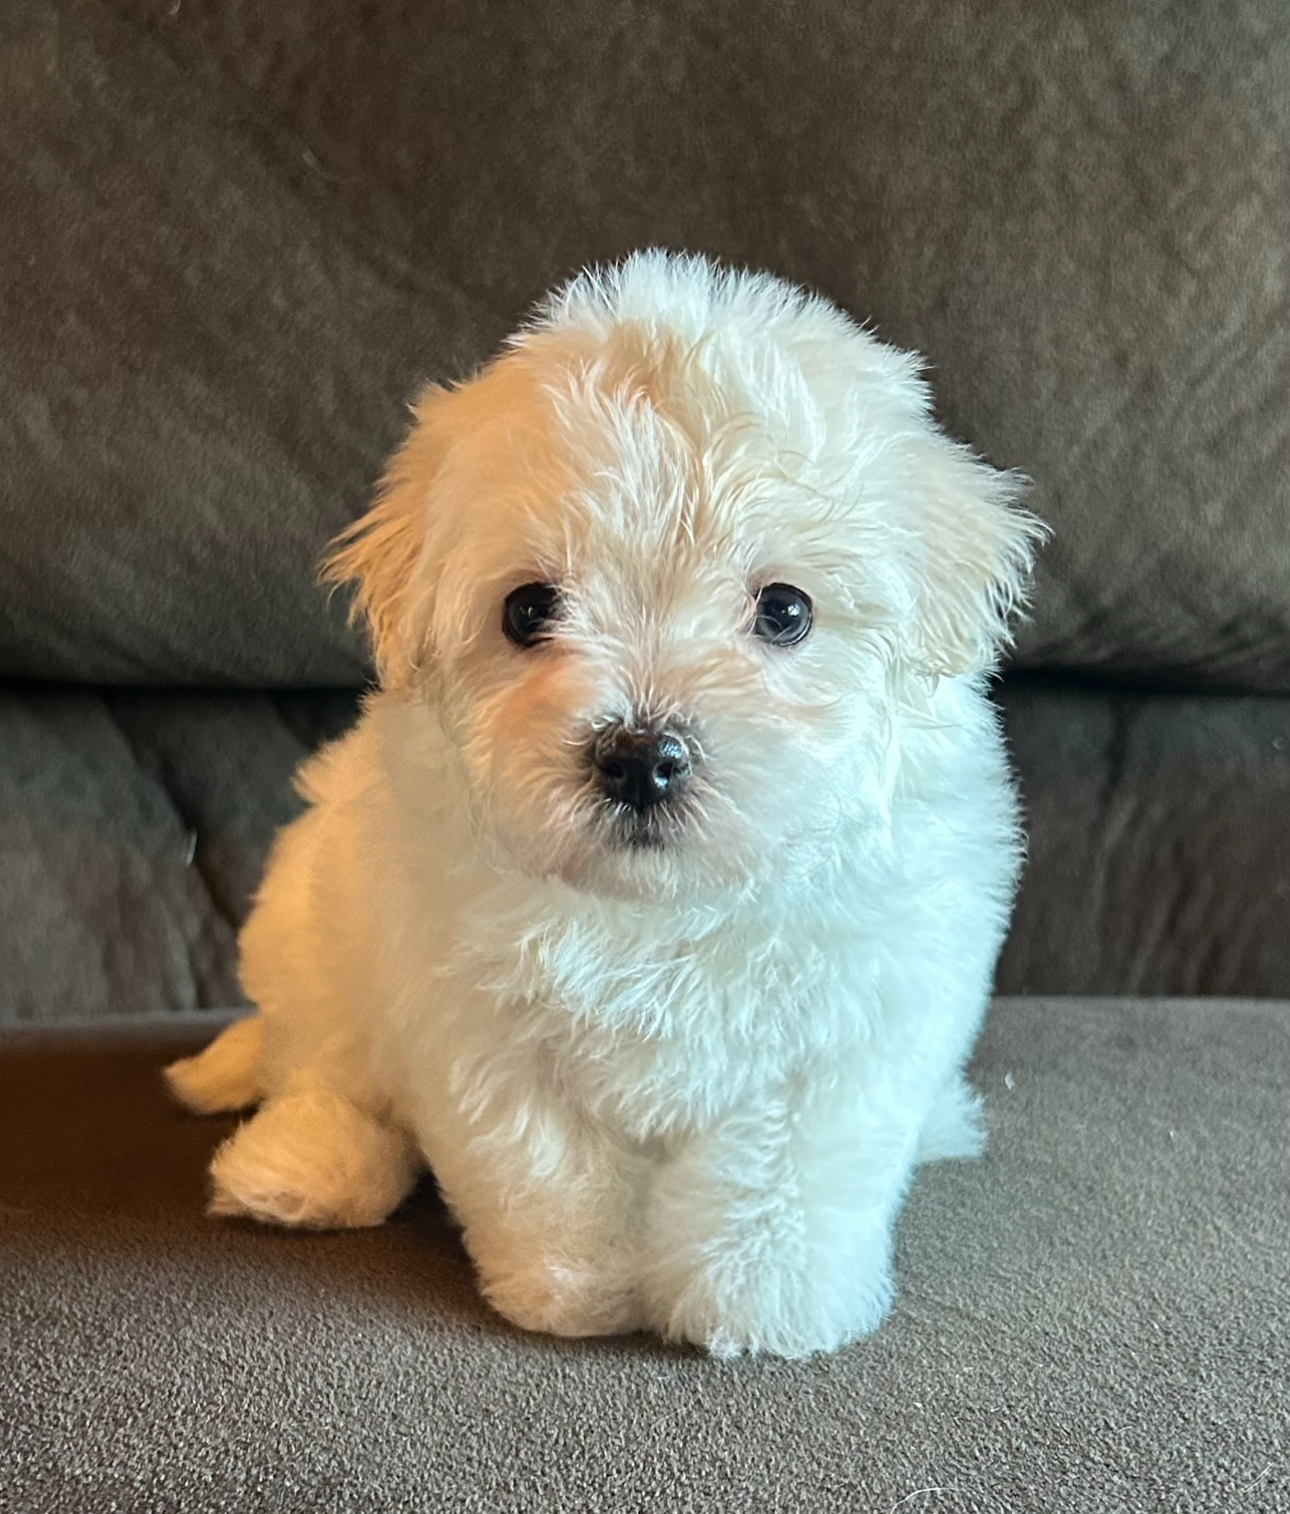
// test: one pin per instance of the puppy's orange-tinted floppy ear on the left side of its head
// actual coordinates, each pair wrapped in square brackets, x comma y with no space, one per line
[384,550]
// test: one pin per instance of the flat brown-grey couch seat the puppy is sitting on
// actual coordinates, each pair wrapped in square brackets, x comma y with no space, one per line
[1094,1318]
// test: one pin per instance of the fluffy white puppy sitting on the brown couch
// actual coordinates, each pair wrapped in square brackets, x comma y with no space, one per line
[656,897]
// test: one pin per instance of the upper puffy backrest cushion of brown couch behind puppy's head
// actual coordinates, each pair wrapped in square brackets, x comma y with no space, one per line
[238,235]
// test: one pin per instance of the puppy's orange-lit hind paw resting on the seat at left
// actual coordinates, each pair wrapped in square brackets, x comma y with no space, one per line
[316,1160]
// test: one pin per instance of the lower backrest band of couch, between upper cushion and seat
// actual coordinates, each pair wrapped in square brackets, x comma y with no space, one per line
[134,829]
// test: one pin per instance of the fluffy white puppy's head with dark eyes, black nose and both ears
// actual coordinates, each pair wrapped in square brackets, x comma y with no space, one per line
[670,567]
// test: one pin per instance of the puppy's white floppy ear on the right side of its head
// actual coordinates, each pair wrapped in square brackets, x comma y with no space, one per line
[977,549]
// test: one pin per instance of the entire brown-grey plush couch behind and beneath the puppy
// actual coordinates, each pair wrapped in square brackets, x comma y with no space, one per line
[237,240]
